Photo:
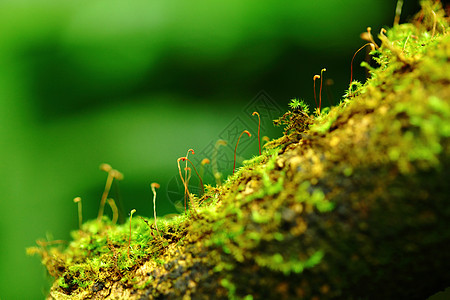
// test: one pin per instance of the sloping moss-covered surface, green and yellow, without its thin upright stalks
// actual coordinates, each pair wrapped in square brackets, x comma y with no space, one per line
[350,203]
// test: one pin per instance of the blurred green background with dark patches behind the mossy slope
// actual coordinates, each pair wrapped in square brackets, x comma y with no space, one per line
[137,83]
